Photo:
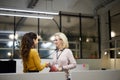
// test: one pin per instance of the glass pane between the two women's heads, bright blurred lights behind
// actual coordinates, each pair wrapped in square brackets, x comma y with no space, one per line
[47,29]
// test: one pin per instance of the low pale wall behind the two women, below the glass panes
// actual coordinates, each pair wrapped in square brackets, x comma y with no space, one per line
[82,64]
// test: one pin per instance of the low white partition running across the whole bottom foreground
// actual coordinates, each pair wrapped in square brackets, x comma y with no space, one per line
[79,75]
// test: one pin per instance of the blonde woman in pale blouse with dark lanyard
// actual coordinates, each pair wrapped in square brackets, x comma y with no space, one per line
[63,59]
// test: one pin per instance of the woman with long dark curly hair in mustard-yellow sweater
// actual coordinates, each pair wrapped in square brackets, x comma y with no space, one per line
[30,56]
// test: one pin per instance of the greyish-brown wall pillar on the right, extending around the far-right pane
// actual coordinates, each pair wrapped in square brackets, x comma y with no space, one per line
[106,61]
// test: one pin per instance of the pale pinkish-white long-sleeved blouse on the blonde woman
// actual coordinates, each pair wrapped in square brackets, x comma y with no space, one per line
[64,59]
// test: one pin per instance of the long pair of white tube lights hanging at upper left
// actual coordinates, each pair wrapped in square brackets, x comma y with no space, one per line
[27,13]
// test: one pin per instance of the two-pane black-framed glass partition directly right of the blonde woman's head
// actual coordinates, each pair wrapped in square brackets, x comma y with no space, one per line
[86,46]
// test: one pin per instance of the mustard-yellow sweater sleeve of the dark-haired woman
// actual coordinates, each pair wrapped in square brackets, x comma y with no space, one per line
[37,61]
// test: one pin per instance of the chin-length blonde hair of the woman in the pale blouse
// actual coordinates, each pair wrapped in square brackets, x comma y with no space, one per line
[64,39]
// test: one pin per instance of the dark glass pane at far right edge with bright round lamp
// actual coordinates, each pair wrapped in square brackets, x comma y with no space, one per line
[114,26]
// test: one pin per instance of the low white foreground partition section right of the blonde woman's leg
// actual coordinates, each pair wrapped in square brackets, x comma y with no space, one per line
[96,75]
